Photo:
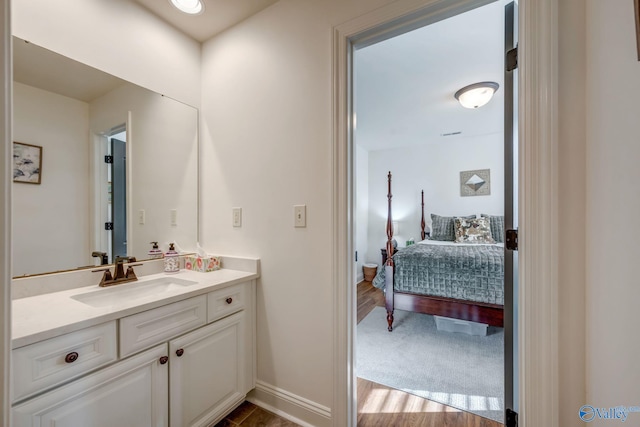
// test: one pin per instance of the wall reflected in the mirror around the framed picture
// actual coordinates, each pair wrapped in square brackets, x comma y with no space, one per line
[50,220]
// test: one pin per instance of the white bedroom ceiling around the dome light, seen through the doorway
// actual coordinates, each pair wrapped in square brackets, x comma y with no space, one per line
[404,86]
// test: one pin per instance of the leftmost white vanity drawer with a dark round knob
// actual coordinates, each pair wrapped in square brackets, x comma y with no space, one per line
[48,363]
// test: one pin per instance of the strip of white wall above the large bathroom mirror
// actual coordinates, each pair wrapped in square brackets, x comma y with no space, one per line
[119,37]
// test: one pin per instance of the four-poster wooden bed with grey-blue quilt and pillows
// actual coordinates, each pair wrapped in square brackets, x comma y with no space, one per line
[444,278]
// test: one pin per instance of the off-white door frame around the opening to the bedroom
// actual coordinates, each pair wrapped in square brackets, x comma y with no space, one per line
[537,187]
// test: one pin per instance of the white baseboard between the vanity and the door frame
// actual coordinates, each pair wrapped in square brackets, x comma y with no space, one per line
[290,406]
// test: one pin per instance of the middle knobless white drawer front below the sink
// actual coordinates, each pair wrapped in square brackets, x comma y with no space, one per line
[152,327]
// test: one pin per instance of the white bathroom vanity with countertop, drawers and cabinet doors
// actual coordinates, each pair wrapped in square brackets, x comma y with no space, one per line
[167,350]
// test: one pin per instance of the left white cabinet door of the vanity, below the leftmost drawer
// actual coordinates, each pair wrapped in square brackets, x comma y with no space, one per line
[133,392]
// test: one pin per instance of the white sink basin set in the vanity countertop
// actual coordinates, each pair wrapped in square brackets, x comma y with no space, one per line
[127,293]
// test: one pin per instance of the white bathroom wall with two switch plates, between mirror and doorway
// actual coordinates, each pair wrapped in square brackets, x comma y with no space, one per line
[266,146]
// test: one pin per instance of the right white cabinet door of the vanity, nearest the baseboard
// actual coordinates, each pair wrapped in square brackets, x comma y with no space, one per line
[207,374]
